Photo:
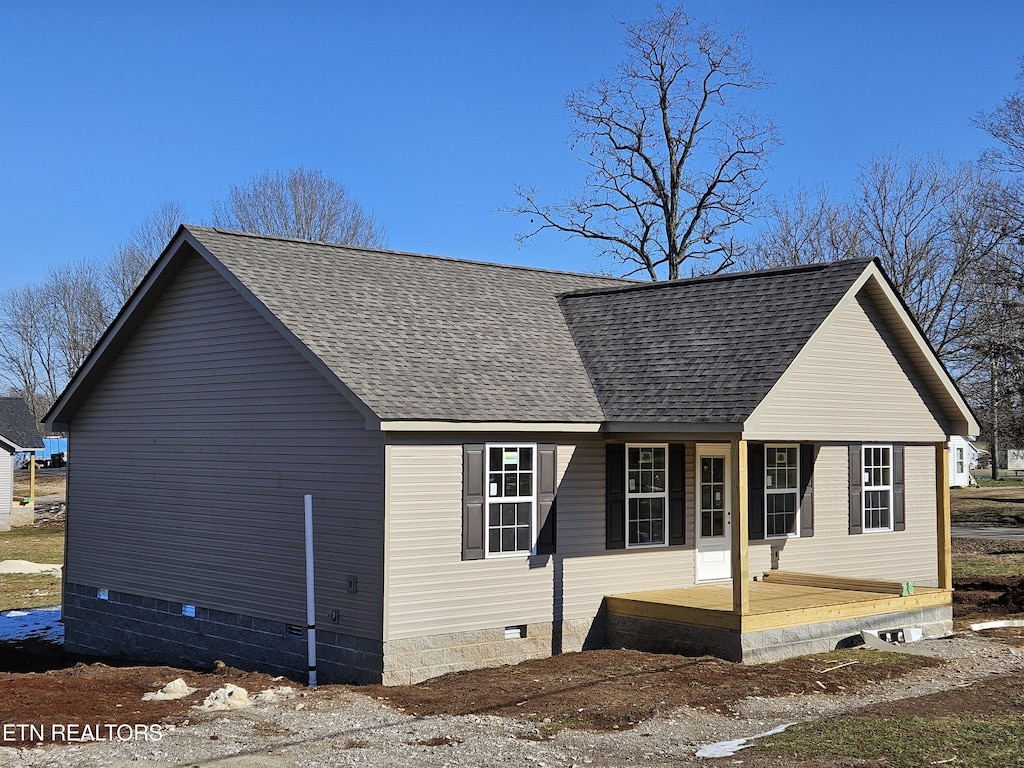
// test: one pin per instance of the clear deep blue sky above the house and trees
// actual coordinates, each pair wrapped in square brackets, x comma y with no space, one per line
[431,112]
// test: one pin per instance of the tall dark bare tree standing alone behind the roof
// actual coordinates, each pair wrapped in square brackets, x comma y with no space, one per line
[675,162]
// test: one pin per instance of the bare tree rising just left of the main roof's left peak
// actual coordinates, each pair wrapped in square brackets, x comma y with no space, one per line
[132,260]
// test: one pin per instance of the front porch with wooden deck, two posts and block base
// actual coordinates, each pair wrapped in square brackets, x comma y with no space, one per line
[776,615]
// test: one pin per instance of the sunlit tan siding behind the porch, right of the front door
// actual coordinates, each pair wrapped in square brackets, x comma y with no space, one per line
[906,556]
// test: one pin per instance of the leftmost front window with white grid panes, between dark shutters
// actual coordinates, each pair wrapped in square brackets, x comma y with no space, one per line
[511,499]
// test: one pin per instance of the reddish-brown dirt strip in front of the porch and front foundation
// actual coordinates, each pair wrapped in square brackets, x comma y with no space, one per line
[617,690]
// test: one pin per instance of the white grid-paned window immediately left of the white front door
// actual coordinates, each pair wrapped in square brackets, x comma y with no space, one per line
[647,495]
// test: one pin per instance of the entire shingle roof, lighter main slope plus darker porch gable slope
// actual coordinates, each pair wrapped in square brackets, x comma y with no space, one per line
[429,338]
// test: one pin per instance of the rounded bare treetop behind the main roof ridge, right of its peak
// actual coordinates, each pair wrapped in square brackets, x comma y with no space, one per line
[304,203]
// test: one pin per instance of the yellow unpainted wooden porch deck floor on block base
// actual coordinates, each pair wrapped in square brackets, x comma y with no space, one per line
[773,607]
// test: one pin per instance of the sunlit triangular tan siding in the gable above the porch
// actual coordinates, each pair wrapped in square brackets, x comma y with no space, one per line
[850,383]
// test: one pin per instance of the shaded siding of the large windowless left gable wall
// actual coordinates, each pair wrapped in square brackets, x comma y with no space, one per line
[194,454]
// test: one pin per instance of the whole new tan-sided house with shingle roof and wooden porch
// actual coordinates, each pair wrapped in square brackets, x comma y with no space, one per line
[505,462]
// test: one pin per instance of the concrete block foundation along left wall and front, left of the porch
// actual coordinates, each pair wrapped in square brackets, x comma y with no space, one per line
[146,629]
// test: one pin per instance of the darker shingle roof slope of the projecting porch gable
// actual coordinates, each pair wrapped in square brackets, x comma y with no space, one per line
[701,351]
